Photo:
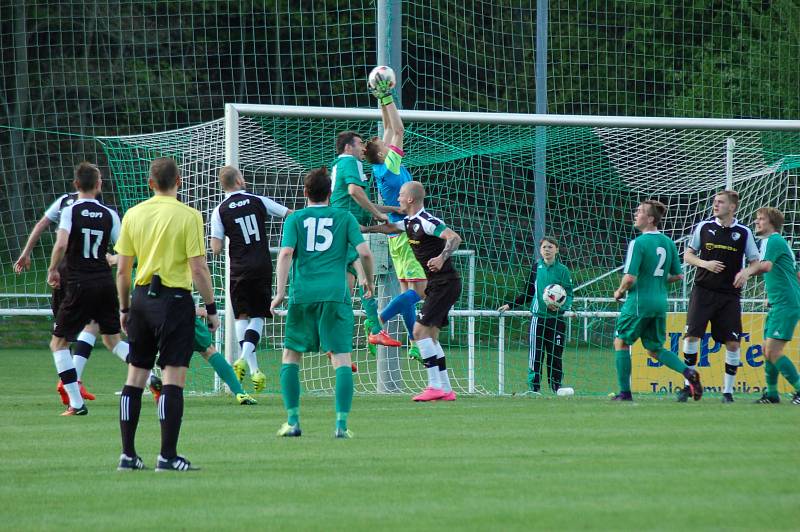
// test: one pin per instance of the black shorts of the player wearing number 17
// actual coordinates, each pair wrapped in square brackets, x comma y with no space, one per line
[86,301]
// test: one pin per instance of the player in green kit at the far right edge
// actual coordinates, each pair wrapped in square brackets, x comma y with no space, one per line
[782,284]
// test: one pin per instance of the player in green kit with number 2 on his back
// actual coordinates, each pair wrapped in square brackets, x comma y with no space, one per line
[650,265]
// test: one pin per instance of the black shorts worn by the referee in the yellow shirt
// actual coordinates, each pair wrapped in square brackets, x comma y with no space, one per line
[163,325]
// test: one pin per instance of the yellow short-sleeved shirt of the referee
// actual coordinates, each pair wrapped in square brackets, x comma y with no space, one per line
[163,234]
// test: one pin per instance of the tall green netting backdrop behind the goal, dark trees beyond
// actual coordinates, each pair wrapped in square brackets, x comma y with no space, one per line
[80,78]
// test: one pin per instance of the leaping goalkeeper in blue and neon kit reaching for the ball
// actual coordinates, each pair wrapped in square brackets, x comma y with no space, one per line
[386,156]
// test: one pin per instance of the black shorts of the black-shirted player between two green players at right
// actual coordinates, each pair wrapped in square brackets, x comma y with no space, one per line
[723,310]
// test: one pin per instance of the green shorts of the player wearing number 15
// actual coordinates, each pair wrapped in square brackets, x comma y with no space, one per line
[326,325]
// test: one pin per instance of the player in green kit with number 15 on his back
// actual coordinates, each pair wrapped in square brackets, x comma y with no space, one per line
[315,247]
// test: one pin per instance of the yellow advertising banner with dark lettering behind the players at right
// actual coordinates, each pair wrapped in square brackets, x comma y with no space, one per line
[652,377]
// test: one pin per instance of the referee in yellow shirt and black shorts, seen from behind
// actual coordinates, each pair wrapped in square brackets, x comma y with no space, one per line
[166,238]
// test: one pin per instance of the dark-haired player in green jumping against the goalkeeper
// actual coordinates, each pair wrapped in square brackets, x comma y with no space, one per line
[350,191]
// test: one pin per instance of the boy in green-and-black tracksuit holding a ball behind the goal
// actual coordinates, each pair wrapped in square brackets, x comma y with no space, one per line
[548,326]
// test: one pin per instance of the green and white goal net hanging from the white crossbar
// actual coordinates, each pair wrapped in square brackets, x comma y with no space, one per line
[480,179]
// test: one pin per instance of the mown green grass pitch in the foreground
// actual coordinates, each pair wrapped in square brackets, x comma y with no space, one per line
[481,463]
